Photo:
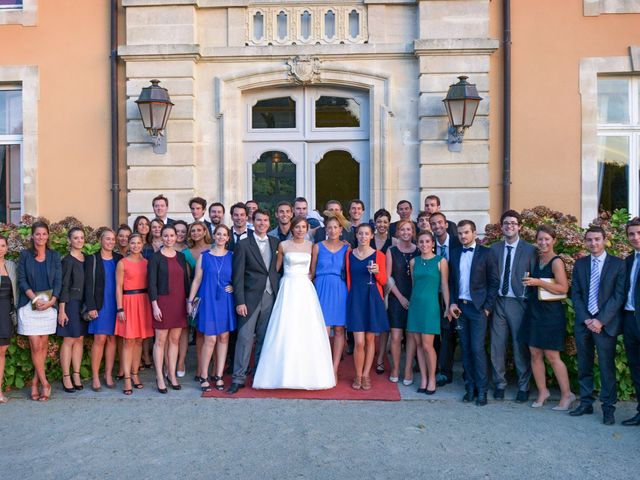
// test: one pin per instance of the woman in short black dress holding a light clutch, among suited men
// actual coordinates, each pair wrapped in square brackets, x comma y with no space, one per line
[544,325]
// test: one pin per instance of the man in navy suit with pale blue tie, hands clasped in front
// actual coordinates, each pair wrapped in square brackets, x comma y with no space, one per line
[597,292]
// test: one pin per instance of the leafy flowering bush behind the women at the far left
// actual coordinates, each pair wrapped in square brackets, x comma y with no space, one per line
[19,369]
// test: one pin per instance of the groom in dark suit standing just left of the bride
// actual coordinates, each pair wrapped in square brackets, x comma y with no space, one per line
[255,285]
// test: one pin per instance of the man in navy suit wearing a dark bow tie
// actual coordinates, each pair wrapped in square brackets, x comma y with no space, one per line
[473,283]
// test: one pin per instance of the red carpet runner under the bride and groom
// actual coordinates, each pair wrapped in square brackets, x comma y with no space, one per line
[382,389]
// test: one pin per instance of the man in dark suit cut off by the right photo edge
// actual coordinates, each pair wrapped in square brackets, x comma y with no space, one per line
[631,314]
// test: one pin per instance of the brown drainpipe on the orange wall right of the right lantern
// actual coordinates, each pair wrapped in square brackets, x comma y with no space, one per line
[506,134]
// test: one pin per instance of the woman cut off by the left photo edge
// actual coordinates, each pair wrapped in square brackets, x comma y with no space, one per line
[8,295]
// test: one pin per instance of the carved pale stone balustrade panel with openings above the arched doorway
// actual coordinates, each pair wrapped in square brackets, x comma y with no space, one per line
[306,25]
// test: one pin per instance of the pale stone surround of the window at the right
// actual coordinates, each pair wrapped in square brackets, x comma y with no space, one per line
[590,68]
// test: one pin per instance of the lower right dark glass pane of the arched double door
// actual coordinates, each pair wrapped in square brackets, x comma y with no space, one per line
[337,178]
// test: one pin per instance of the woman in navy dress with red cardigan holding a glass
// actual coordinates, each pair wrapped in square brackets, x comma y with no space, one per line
[366,315]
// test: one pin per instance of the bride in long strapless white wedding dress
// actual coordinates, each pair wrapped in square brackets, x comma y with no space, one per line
[296,353]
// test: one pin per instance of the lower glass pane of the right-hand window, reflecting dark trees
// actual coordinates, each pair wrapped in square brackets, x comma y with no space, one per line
[613,173]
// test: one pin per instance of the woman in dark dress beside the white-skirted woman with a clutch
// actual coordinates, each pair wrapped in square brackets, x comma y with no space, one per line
[70,326]
